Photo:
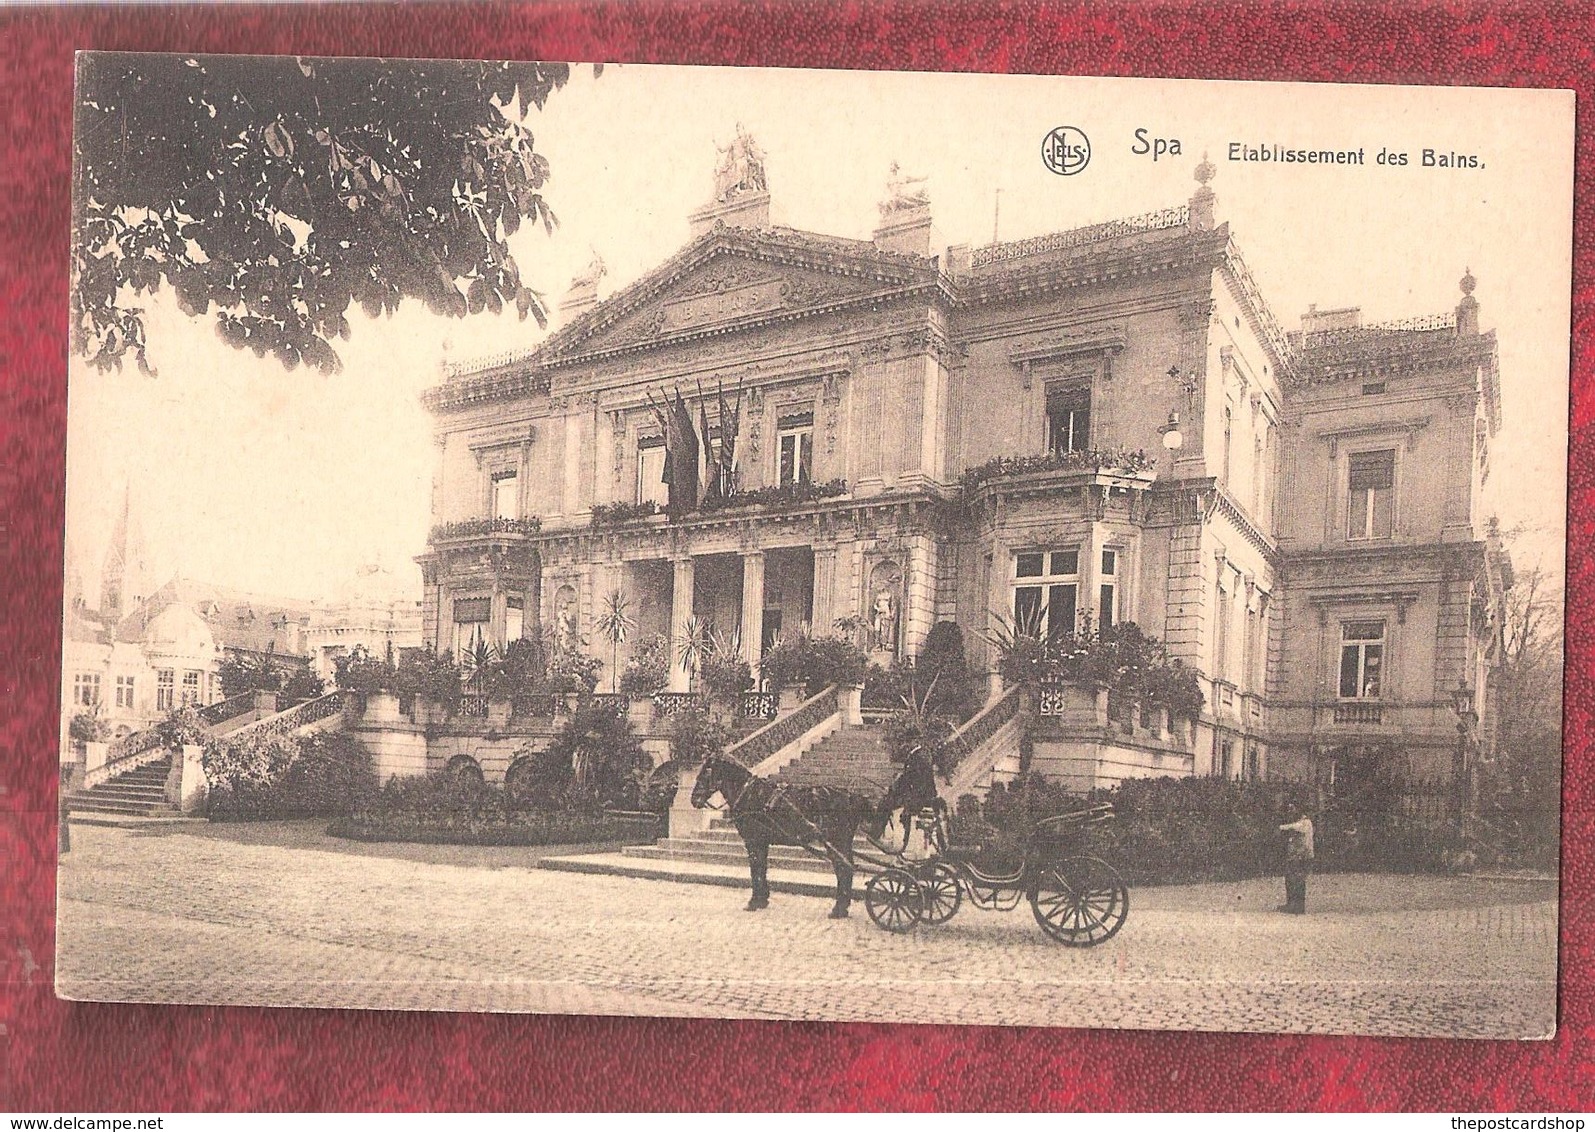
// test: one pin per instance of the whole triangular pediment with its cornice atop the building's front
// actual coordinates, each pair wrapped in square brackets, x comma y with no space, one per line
[738,278]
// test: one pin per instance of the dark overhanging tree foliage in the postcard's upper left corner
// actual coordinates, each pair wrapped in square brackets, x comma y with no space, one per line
[282,191]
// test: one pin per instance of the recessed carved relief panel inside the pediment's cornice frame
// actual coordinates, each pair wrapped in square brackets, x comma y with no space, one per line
[725,291]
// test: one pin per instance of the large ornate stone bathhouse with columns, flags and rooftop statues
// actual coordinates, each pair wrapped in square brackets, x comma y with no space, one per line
[1095,426]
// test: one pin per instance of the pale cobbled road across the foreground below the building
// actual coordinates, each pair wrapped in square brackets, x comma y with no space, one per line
[283,914]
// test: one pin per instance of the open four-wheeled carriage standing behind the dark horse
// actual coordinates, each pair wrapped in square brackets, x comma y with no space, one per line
[1077,900]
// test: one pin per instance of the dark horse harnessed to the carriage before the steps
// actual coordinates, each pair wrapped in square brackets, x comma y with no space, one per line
[819,819]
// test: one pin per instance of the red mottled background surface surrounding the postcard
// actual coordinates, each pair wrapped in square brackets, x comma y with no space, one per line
[85,1058]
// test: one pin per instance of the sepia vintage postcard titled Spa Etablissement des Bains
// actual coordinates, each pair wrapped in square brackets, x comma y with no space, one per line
[816,546]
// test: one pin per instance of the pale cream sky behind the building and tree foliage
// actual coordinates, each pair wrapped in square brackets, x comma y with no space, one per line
[288,482]
